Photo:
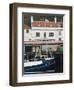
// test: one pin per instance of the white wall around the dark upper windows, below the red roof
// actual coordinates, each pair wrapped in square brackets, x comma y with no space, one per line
[32,34]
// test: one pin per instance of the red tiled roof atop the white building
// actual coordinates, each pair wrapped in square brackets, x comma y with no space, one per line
[46,24]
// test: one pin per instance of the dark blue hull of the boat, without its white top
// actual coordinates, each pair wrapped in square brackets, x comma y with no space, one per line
[44,67]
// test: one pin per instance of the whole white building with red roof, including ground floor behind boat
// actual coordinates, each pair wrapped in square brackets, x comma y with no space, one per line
[43,35]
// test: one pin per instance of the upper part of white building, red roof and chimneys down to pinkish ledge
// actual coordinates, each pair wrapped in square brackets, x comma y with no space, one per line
[44,30]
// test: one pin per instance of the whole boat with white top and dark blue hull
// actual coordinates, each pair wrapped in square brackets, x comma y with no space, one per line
[44,65]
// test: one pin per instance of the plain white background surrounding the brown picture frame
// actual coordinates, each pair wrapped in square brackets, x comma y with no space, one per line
[4,46]
